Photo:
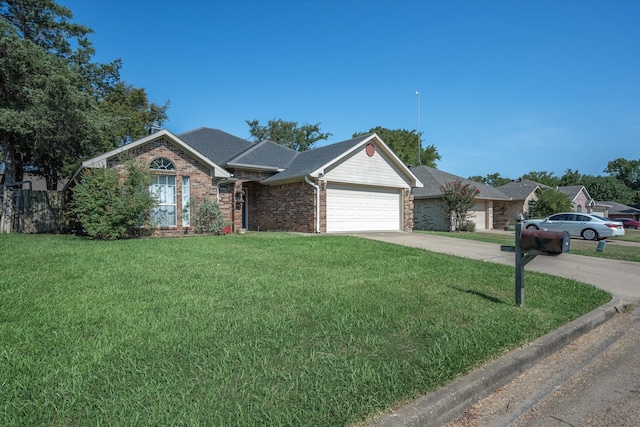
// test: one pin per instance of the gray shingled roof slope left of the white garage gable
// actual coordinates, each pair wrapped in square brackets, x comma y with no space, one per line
[307,161]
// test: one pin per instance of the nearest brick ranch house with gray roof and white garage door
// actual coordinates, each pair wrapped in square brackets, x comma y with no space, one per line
[353,185]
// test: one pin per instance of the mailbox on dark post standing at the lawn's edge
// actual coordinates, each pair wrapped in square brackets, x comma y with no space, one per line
[531,243]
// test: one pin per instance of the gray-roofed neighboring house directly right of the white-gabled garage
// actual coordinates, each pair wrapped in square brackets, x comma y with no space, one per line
[429,211]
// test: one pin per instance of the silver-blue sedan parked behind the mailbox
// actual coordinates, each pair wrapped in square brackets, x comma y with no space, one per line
[587,226]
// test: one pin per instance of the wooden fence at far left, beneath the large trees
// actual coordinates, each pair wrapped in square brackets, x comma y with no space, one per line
[28,211]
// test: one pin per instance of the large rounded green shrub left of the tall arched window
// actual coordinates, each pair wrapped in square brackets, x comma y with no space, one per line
[113,204]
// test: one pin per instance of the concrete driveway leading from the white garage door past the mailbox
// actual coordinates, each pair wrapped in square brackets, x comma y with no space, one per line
[620,278]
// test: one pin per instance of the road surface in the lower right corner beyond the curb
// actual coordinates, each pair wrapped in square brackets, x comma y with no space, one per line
[592,382]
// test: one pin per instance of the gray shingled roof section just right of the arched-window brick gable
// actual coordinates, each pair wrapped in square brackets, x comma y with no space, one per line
[215,144]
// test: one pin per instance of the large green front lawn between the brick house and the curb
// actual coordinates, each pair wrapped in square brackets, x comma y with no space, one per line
[267,328]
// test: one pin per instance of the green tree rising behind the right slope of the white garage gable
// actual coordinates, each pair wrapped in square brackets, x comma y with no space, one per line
[404,144]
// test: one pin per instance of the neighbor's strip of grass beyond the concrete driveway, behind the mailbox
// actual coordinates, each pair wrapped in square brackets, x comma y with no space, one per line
[614,250]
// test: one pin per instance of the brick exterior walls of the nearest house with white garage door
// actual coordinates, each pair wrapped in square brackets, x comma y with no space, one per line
[287,207]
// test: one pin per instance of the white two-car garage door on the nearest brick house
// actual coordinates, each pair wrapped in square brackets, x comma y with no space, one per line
[354,208]
